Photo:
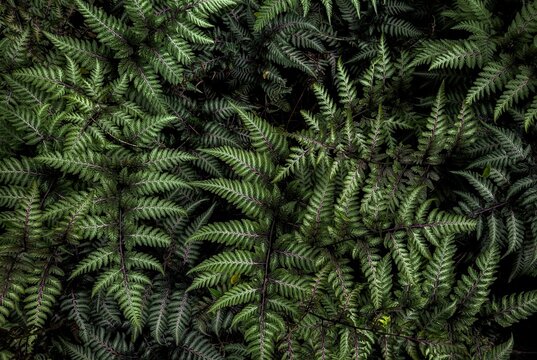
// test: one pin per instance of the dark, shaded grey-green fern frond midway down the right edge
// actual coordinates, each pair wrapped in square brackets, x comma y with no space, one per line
[501,198]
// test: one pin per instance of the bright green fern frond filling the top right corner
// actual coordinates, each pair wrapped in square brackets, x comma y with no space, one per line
[499,48]
